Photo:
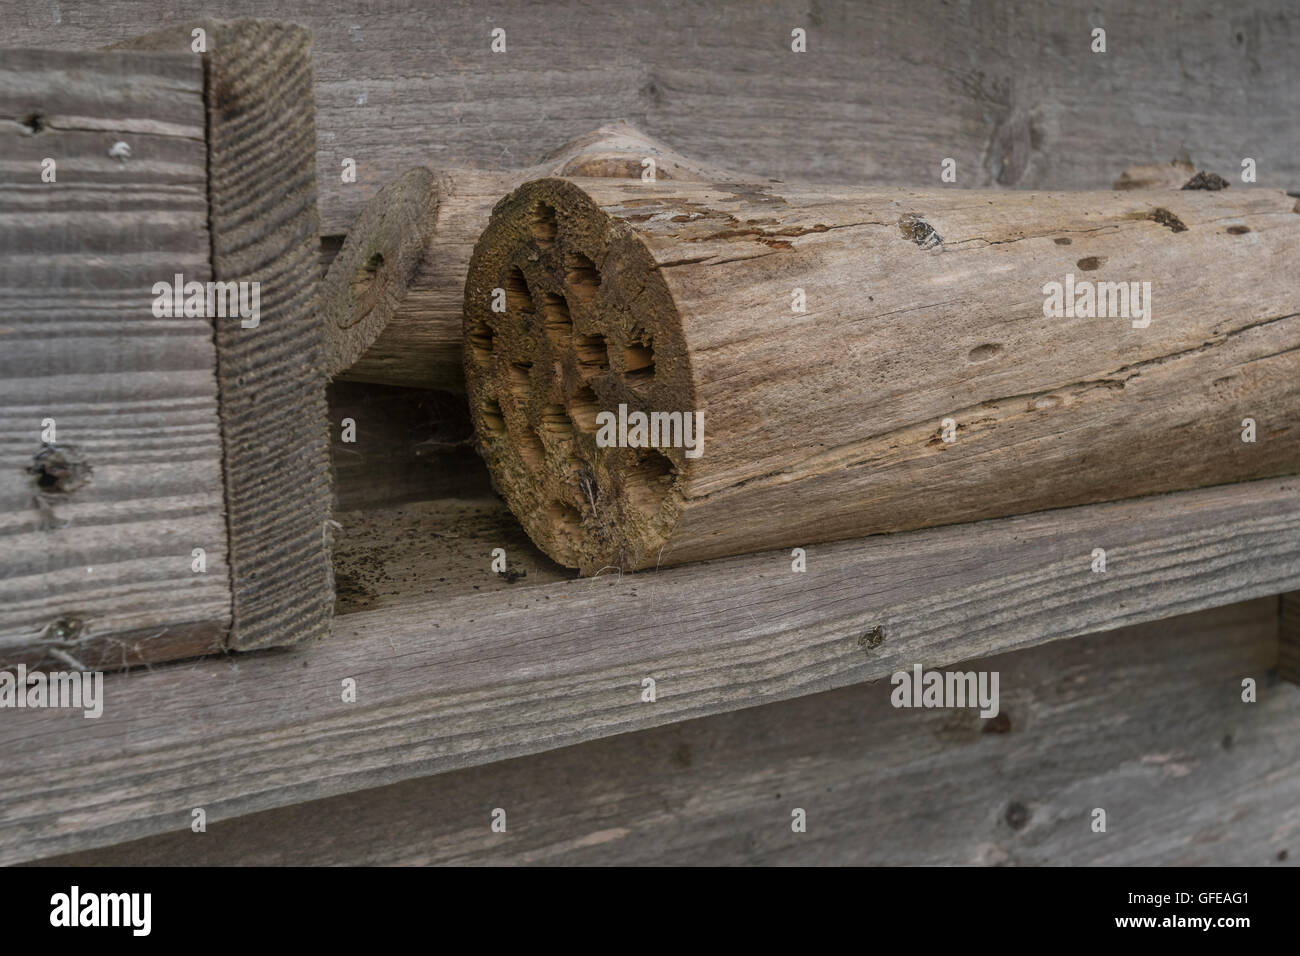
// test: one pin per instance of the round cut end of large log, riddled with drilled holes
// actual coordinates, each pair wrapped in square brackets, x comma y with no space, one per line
[583,325]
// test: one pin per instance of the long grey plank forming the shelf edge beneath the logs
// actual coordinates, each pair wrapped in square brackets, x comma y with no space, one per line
[452,684]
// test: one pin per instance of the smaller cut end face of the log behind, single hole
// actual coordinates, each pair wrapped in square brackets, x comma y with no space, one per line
[375,269]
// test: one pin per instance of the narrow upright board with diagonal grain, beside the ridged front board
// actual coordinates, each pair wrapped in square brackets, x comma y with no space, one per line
[262,172]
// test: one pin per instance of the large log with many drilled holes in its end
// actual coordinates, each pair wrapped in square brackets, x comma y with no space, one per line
[925,384]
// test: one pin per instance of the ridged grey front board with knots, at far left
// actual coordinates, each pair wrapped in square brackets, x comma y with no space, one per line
[98,527]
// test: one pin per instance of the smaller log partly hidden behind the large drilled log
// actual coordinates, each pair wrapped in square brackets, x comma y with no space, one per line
[393,297]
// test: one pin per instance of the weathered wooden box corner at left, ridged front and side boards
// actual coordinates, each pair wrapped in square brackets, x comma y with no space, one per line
[177,504]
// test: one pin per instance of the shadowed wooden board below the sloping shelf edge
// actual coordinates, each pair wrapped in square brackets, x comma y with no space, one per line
[1146,723]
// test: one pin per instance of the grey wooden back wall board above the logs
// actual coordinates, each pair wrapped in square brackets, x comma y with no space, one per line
[885,93]
